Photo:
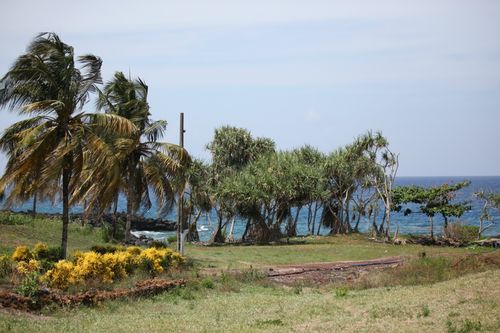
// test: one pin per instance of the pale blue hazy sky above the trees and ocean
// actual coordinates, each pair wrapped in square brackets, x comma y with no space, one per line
[425,73]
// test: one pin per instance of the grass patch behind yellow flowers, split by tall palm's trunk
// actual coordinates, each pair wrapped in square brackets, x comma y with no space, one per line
[16,229]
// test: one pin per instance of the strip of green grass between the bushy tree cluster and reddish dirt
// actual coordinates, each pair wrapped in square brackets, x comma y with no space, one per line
[315,249]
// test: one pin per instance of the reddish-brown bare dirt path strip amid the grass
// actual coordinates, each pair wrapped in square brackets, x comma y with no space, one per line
[328,272]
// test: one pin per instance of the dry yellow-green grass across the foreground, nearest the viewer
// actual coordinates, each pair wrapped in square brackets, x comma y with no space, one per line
[457,305]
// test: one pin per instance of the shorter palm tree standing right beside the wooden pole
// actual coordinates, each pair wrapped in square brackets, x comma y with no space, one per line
[141,162]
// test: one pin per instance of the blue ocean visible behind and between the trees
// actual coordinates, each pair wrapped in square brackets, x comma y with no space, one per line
[415,223]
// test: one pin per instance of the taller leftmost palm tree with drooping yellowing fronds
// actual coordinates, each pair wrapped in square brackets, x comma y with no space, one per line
[58,138]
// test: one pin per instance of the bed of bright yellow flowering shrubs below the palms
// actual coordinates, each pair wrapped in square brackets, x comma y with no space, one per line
[36,268]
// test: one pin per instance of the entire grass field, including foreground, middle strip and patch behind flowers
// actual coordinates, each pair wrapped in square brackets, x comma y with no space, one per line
[466,304]
